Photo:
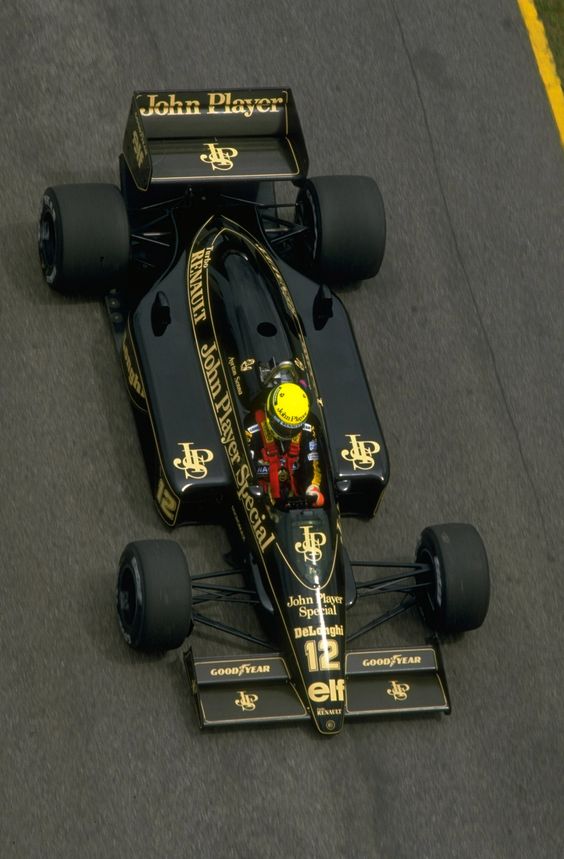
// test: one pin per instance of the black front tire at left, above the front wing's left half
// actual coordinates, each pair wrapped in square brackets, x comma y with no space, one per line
[154,595]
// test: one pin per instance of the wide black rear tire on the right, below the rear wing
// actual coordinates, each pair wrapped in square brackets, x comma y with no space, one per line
[347,227]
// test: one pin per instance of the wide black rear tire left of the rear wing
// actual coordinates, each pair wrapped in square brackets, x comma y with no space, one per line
[83,238]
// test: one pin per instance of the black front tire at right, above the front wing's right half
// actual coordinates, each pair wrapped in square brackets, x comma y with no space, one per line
[458,595]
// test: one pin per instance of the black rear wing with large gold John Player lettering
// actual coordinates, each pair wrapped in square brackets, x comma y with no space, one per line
[192,136]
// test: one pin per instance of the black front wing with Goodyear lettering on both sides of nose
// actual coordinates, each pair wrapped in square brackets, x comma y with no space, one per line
[258,689]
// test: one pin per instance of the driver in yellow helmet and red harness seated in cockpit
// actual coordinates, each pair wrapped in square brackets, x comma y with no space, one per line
[284,446]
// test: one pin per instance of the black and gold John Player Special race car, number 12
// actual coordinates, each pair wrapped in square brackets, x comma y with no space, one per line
[219,294]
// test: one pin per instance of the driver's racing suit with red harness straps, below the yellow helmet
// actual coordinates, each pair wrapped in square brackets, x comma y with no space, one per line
[284,468]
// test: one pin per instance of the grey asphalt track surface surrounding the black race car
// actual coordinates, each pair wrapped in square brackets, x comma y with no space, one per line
[100,754]
